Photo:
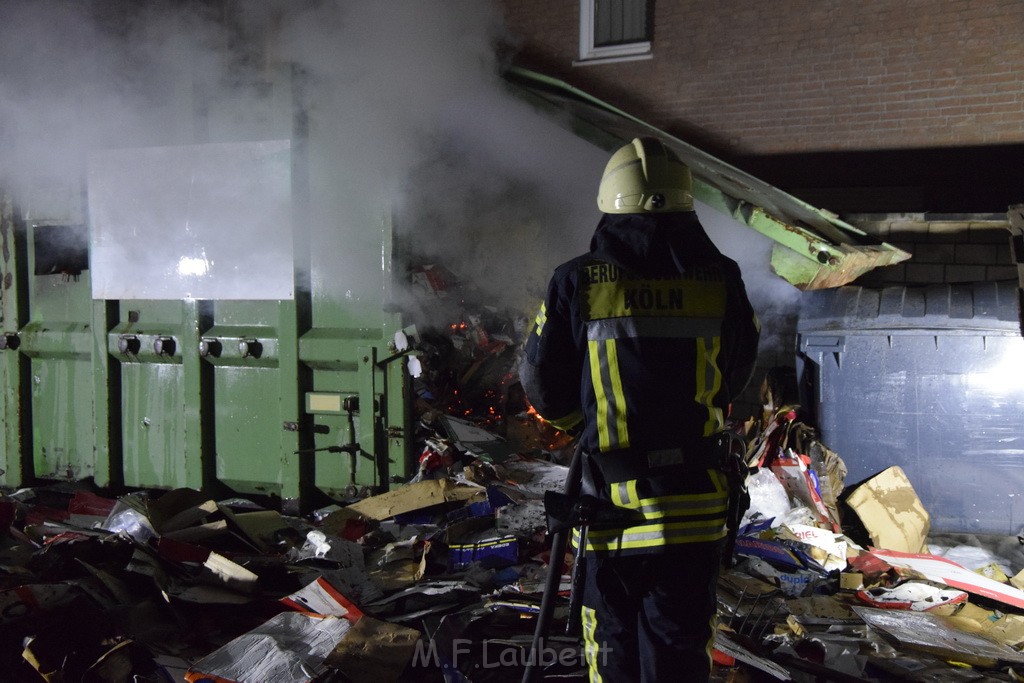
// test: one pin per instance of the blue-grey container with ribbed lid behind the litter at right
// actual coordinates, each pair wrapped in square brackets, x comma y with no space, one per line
[930,379]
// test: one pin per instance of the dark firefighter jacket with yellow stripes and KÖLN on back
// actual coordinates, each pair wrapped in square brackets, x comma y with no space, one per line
[646,340]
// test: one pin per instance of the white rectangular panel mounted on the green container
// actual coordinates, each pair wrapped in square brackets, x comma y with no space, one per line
[208,222]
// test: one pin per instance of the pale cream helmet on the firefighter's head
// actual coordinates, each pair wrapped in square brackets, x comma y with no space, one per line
[646,177]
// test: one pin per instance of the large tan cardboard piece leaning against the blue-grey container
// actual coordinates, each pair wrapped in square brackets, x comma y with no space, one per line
[891,511]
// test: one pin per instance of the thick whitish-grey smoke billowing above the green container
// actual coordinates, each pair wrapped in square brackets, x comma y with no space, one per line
[411,131]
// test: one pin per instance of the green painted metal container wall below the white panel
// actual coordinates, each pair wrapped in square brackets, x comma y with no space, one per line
[201,394]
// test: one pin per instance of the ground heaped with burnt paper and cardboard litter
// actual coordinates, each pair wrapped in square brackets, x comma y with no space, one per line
[441,579]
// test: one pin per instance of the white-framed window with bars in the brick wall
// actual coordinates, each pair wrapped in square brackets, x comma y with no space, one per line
[615,29]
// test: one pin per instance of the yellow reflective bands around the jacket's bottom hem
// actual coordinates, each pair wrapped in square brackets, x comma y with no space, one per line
[668,520]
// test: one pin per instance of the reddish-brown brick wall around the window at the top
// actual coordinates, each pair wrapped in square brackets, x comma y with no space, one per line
[805,75]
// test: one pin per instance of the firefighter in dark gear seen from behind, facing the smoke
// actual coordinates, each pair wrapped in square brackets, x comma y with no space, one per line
[641,346]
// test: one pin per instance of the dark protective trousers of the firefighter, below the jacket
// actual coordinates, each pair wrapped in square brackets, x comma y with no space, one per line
[652,618]
